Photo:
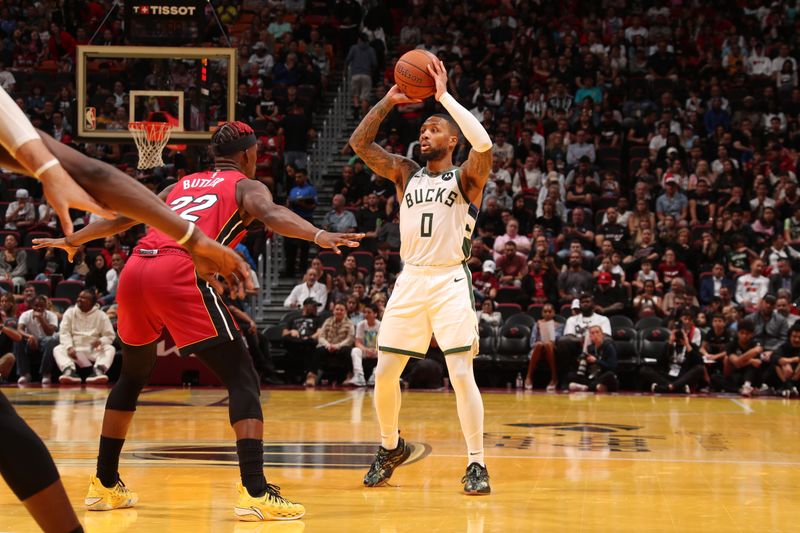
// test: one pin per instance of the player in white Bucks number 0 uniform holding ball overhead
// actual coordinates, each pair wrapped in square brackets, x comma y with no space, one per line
[433,293]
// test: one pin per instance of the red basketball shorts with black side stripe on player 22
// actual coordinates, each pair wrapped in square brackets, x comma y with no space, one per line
[158,290]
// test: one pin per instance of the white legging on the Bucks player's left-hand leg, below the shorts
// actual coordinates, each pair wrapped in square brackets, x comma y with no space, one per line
[387,396]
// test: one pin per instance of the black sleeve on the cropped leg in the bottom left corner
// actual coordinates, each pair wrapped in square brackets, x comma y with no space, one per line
[25,463]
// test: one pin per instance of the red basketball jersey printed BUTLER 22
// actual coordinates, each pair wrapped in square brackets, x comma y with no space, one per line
[209,200]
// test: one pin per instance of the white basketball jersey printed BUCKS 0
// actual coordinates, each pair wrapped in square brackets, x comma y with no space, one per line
[436,219]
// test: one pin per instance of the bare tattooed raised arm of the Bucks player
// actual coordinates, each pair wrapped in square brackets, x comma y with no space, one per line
[392,167]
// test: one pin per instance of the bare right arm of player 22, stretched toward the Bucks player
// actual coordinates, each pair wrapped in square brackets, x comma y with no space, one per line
[256,200]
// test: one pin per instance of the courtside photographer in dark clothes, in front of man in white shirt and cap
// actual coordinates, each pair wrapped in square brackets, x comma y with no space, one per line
[596,366]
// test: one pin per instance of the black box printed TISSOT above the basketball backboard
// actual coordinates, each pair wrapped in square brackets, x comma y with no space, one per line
[164,22]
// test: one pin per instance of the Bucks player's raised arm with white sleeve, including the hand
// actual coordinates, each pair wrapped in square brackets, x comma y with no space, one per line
[475,170]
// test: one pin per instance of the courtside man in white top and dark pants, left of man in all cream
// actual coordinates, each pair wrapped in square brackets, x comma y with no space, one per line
[38,327]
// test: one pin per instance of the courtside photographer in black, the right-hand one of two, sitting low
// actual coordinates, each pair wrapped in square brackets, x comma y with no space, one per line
[679,367]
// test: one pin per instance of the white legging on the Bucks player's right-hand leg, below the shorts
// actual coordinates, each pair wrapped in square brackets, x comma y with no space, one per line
[469,404]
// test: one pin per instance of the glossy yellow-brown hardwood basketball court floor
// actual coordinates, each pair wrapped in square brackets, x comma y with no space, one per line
[558,462]
